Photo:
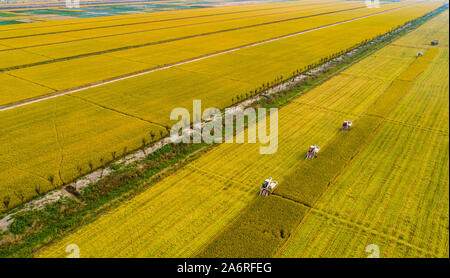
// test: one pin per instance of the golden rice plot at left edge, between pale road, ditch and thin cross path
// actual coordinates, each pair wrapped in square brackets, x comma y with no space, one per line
[71,134]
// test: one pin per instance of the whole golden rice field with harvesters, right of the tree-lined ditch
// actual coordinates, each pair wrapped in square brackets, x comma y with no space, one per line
[385,182]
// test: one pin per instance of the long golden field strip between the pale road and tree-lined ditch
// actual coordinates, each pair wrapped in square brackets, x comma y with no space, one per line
[215,81]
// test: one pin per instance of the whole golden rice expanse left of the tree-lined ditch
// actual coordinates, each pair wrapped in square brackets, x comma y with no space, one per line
[45,147]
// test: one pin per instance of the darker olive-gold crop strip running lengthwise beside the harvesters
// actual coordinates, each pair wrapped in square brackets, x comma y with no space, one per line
[307,182]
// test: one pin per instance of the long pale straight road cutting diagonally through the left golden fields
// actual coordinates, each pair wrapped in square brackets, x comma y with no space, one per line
[98,84]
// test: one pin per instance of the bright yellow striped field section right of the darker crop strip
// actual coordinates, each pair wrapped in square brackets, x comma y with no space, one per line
[395,194]
